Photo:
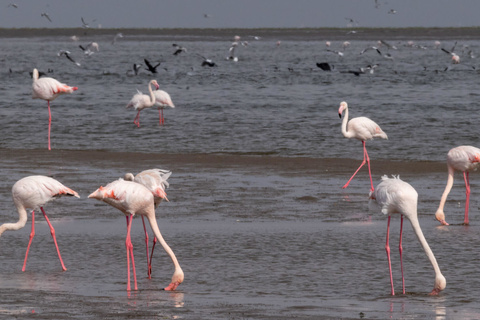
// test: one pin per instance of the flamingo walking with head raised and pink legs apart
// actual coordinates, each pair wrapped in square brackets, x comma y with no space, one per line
[363,129]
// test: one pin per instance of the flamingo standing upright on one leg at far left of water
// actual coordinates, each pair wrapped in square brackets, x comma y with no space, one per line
[48,89]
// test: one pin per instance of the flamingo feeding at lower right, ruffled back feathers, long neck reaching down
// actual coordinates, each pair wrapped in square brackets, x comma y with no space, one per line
[396,196]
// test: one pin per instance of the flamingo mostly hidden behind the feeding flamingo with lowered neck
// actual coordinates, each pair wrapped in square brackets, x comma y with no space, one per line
[154,180]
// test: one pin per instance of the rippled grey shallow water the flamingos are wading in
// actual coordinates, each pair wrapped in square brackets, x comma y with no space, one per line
[257,216]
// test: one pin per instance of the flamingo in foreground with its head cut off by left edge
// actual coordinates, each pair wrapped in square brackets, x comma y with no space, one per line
[34,192]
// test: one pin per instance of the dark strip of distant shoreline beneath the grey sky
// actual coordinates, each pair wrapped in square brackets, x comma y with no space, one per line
[213,34]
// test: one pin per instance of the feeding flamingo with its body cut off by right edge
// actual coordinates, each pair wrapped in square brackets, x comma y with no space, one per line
[465,159]
